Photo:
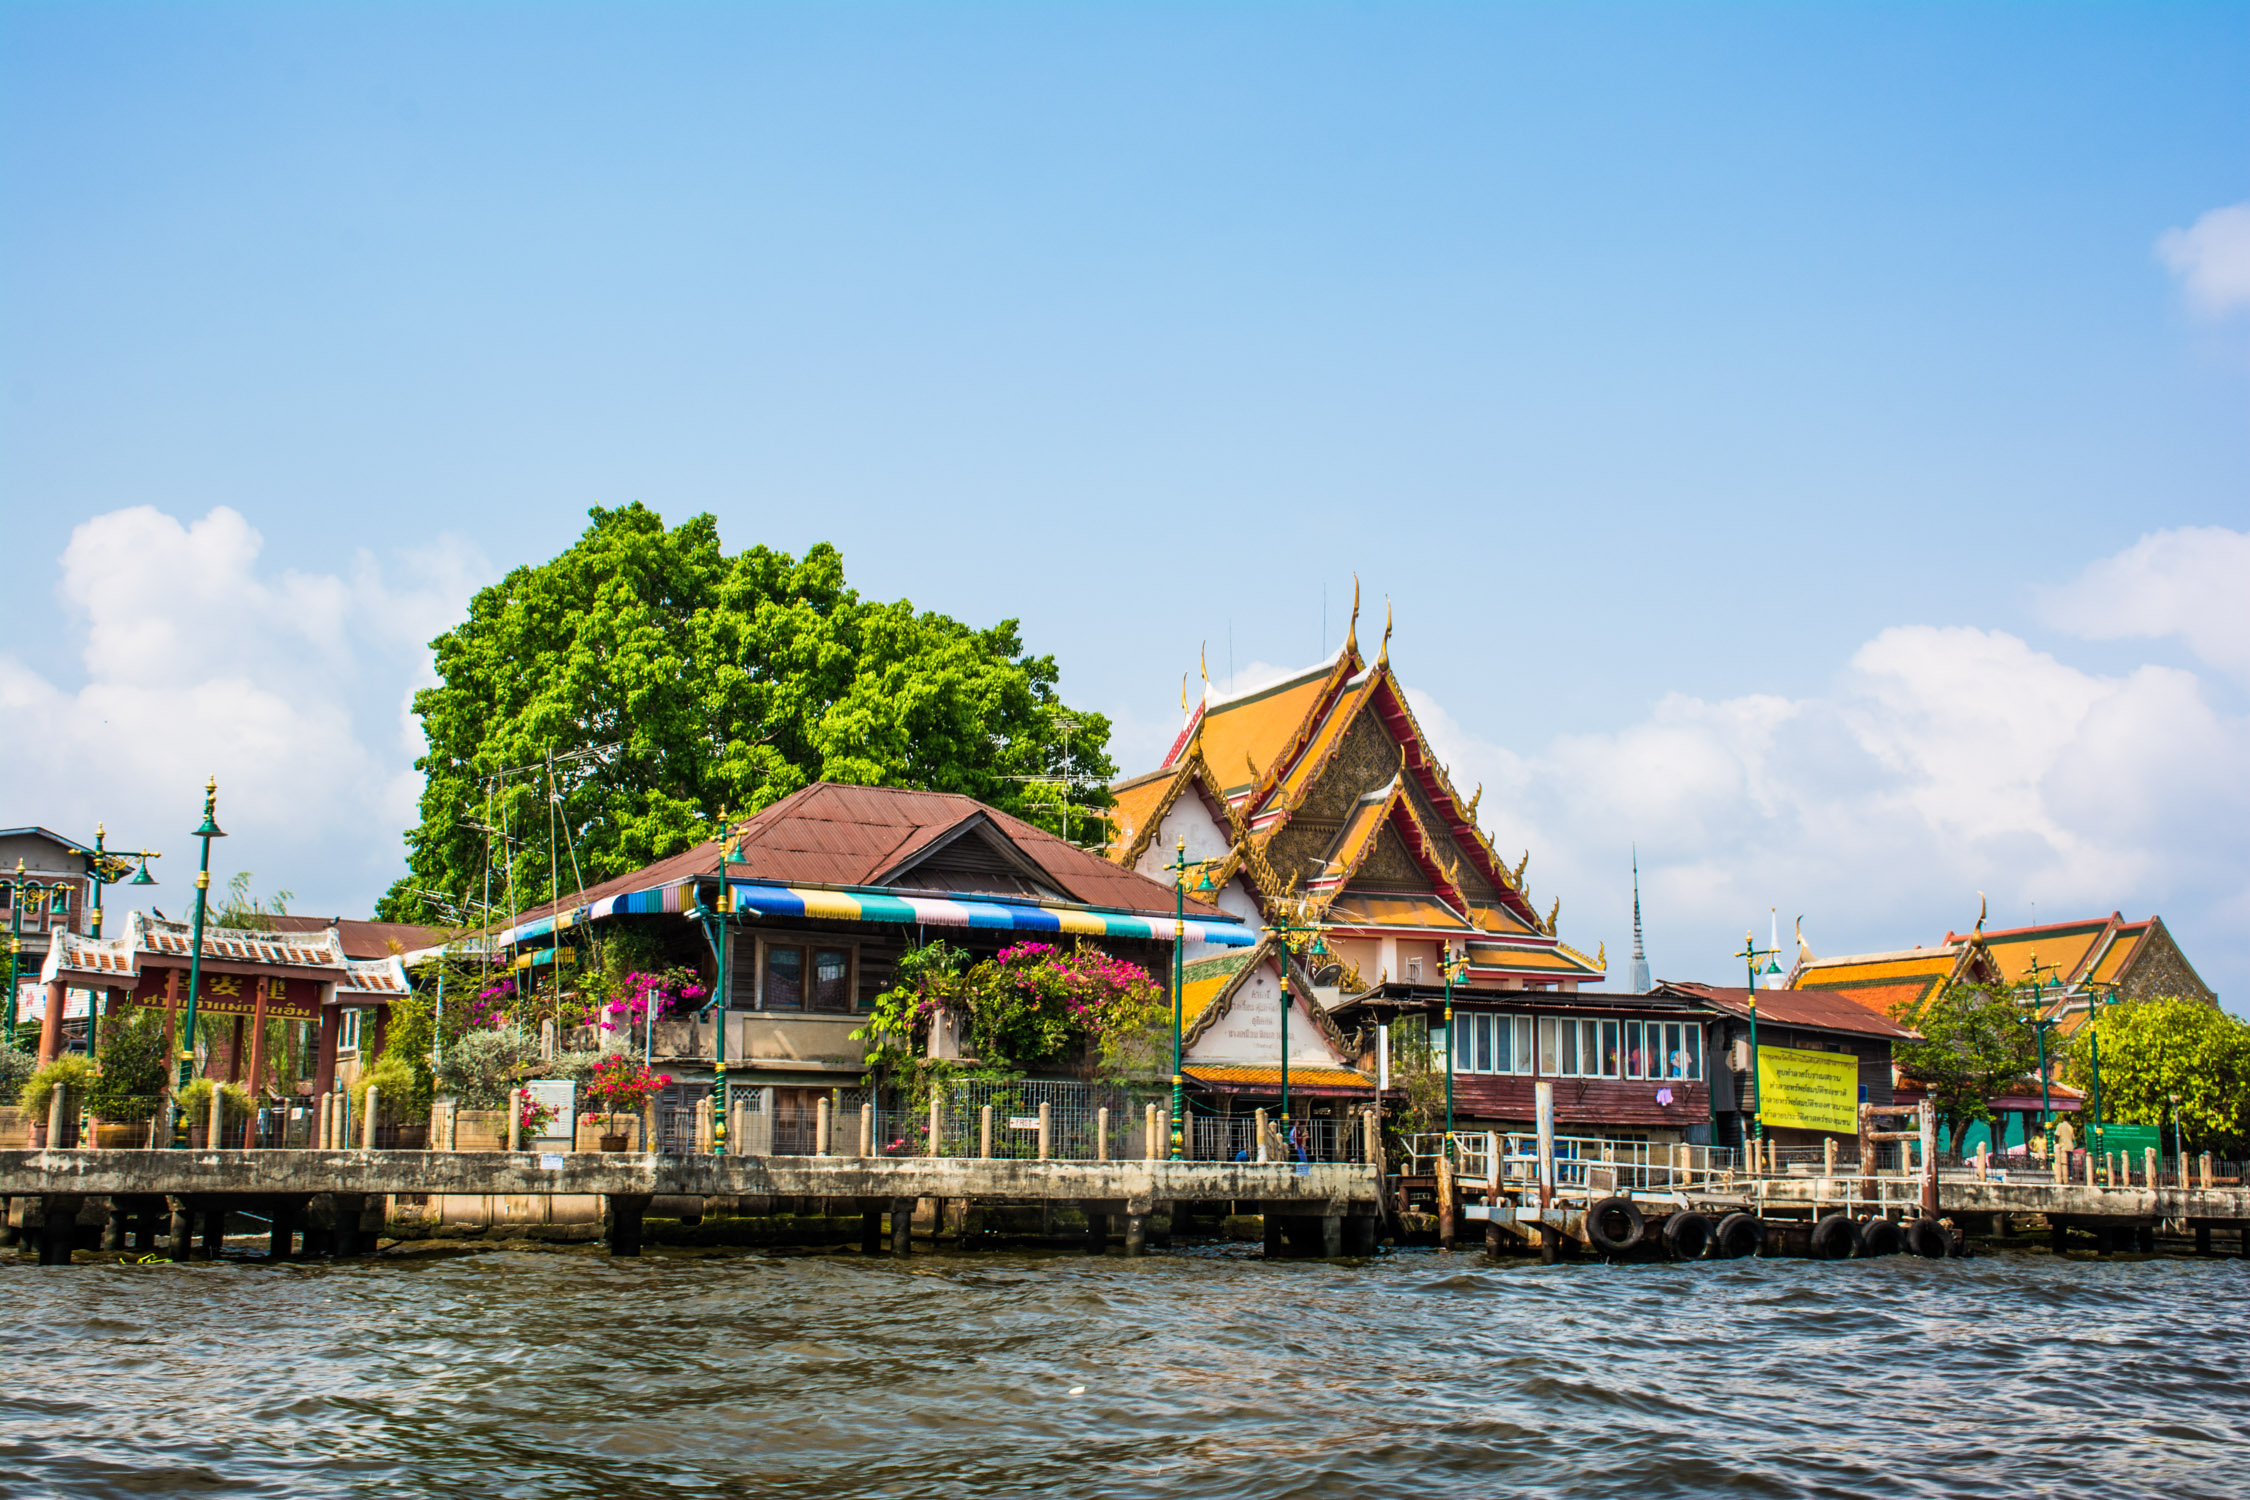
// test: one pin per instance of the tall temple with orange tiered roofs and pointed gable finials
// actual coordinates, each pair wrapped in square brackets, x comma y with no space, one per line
[1322,799]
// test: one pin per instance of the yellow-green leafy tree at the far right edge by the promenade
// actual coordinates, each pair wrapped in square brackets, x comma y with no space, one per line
[2163,1049]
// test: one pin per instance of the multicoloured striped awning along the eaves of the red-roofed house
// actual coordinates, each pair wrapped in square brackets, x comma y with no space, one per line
[771,901]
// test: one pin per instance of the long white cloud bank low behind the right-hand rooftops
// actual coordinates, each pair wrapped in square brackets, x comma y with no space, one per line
[1938,766]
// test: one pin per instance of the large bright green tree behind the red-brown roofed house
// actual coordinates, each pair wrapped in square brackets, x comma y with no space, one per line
[723,685]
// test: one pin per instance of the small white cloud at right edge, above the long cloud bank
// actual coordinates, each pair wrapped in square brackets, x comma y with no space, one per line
[2188,584]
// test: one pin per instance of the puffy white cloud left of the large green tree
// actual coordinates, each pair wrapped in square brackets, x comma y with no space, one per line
[197,662]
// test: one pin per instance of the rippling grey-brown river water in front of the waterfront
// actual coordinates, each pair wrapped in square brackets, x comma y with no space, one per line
[1200,1373]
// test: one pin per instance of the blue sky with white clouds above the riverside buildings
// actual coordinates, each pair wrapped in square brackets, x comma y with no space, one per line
[1803,444]
